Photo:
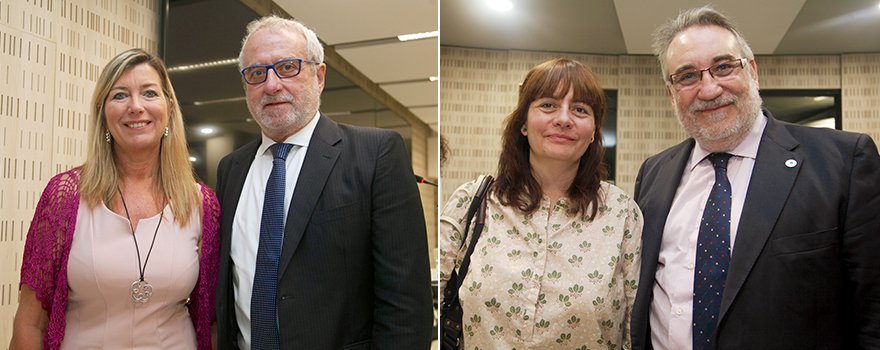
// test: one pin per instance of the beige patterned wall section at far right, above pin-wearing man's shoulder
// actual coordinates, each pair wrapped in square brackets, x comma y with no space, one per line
[861,93]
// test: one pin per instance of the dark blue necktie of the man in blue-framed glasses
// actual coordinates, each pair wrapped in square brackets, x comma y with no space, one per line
[264,311]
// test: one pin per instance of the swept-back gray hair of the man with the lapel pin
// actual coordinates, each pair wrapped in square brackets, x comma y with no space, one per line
[703,16]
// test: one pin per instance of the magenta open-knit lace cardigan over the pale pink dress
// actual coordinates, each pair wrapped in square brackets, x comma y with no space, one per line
[44,266]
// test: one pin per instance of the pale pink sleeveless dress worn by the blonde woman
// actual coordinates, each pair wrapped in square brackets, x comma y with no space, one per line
[101,313]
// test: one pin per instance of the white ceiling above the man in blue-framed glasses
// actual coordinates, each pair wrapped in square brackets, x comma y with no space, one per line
[363,30]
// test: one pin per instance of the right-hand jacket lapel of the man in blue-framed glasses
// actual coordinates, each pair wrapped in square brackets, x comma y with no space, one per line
[321,156]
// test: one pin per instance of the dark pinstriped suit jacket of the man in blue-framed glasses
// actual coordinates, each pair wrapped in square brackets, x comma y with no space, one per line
[354,271]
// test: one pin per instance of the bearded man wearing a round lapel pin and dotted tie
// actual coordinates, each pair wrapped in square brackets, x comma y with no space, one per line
[758,234]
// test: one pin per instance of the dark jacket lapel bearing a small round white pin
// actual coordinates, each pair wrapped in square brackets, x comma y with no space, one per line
[769,188]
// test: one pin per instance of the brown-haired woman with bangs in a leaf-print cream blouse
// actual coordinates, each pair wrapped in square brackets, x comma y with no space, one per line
[557,265]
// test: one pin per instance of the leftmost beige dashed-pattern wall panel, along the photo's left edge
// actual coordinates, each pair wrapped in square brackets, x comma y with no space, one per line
[26,90]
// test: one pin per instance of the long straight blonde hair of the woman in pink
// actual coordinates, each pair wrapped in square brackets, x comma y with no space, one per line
[100,174]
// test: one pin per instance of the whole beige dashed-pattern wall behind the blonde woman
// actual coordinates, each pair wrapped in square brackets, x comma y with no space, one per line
[51,53]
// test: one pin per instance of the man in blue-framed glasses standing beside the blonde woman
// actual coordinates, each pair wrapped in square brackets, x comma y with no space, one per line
[323,240]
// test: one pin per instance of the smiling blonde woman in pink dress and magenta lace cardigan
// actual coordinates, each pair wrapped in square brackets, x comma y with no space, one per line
[122,251]
